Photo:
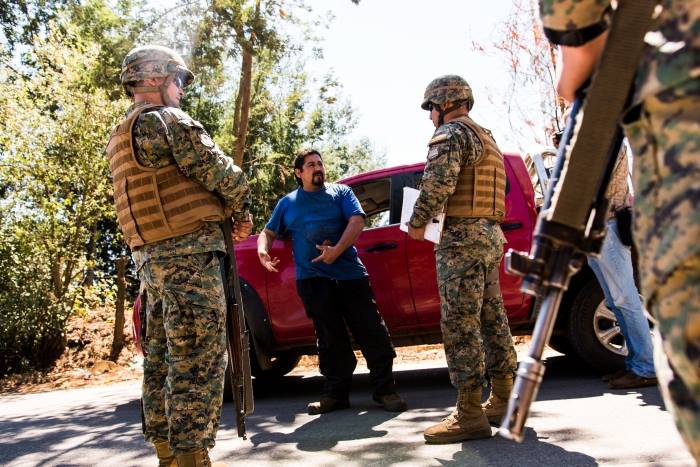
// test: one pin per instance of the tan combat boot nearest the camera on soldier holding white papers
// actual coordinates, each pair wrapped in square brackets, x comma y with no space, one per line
[468,421]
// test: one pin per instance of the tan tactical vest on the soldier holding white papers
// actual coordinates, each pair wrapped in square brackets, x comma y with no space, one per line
[481,187]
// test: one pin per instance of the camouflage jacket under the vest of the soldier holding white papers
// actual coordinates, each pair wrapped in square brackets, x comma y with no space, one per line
[453,147]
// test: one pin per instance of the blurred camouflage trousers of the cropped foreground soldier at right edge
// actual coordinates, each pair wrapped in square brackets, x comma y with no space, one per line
[666,144]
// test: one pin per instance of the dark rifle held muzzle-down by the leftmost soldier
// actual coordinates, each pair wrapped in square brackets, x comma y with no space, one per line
[237,338]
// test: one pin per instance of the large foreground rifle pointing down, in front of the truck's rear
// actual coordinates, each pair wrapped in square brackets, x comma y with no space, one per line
[571,223]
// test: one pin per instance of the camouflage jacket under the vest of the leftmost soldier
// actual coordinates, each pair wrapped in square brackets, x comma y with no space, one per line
[168,135]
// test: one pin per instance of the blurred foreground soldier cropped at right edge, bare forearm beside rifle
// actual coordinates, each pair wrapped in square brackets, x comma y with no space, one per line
[663,130]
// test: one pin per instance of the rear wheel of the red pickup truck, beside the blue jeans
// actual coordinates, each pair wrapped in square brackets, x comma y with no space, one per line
[593,331]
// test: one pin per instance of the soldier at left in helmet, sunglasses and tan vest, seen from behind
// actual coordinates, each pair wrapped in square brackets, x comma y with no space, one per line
[173,187]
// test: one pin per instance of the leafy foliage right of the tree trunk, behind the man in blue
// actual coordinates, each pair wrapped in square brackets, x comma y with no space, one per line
[286,115]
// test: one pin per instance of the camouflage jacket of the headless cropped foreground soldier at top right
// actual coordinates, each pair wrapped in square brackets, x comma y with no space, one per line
[672,55]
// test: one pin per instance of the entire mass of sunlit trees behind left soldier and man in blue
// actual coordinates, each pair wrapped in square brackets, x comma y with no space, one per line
[59,98]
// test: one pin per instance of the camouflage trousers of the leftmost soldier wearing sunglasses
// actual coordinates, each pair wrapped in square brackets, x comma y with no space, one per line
[183,372]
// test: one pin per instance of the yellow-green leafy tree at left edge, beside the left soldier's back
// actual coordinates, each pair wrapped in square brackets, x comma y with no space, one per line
[53,127]
